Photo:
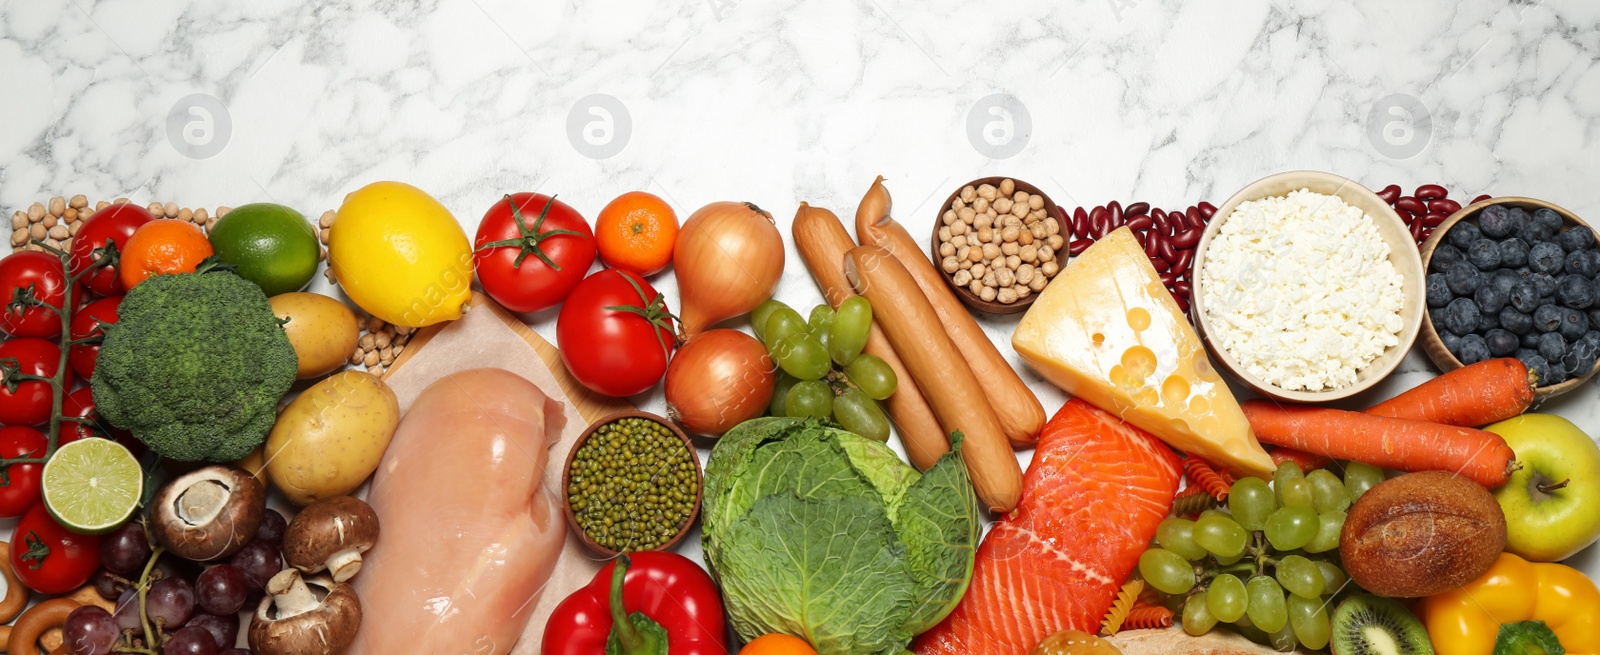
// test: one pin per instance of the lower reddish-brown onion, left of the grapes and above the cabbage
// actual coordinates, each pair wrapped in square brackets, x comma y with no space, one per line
[719,380]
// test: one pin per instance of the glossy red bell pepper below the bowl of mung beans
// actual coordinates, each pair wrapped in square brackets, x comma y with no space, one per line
[676,611]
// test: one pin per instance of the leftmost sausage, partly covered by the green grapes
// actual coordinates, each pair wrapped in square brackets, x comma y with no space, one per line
[823,244]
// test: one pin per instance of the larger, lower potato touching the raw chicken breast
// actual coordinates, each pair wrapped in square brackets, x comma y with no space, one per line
[330,440]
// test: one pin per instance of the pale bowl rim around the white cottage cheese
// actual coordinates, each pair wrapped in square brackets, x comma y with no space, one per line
[1402,252]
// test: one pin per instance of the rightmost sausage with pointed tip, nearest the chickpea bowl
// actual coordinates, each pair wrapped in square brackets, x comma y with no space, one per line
[1022,416]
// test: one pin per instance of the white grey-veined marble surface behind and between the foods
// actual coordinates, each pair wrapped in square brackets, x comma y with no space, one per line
[225,103]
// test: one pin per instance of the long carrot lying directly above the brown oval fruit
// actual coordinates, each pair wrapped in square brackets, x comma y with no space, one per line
[1390,443]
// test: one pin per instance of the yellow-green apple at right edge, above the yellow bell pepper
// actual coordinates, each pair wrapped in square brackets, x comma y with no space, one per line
[1553,502]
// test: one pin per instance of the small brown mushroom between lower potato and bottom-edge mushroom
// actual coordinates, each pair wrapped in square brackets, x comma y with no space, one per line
[332,536]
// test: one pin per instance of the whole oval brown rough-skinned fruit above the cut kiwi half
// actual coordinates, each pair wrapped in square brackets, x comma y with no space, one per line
[1422,534]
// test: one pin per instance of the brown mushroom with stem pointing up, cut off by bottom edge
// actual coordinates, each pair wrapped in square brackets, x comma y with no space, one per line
[294,622]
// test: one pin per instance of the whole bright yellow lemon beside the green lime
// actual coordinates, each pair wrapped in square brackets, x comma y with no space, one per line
[401,255]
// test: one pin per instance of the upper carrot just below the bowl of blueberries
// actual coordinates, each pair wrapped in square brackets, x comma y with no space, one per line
[1484,393]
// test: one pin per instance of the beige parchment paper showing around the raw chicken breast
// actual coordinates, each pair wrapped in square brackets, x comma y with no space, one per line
[481,340]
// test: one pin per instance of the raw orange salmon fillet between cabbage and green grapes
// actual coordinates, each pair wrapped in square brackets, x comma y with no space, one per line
[1090,505]
